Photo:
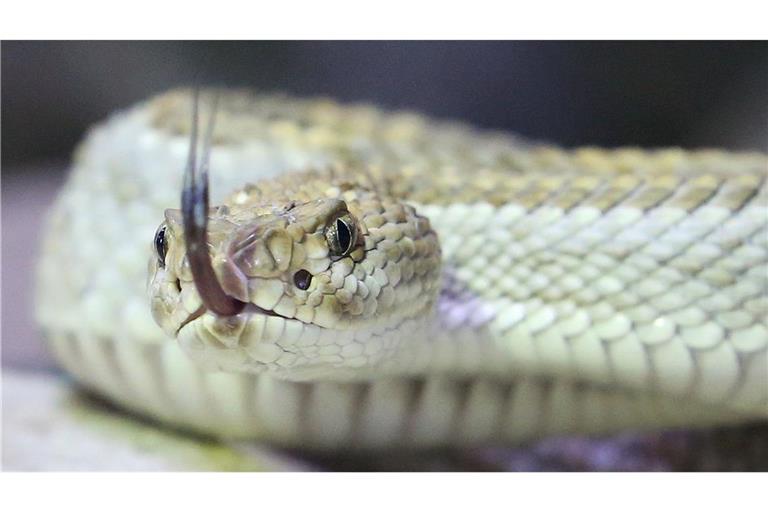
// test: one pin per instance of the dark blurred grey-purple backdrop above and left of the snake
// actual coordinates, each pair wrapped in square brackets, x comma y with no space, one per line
[689,94]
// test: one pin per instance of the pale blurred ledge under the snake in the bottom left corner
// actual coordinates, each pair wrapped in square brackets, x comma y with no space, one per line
[49,426]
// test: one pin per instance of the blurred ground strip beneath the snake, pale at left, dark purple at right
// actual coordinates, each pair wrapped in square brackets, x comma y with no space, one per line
[49,425]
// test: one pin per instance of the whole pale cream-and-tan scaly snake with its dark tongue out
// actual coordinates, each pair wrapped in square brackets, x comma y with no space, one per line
[368,279]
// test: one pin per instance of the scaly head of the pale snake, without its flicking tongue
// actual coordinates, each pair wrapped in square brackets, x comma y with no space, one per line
[327,279]
